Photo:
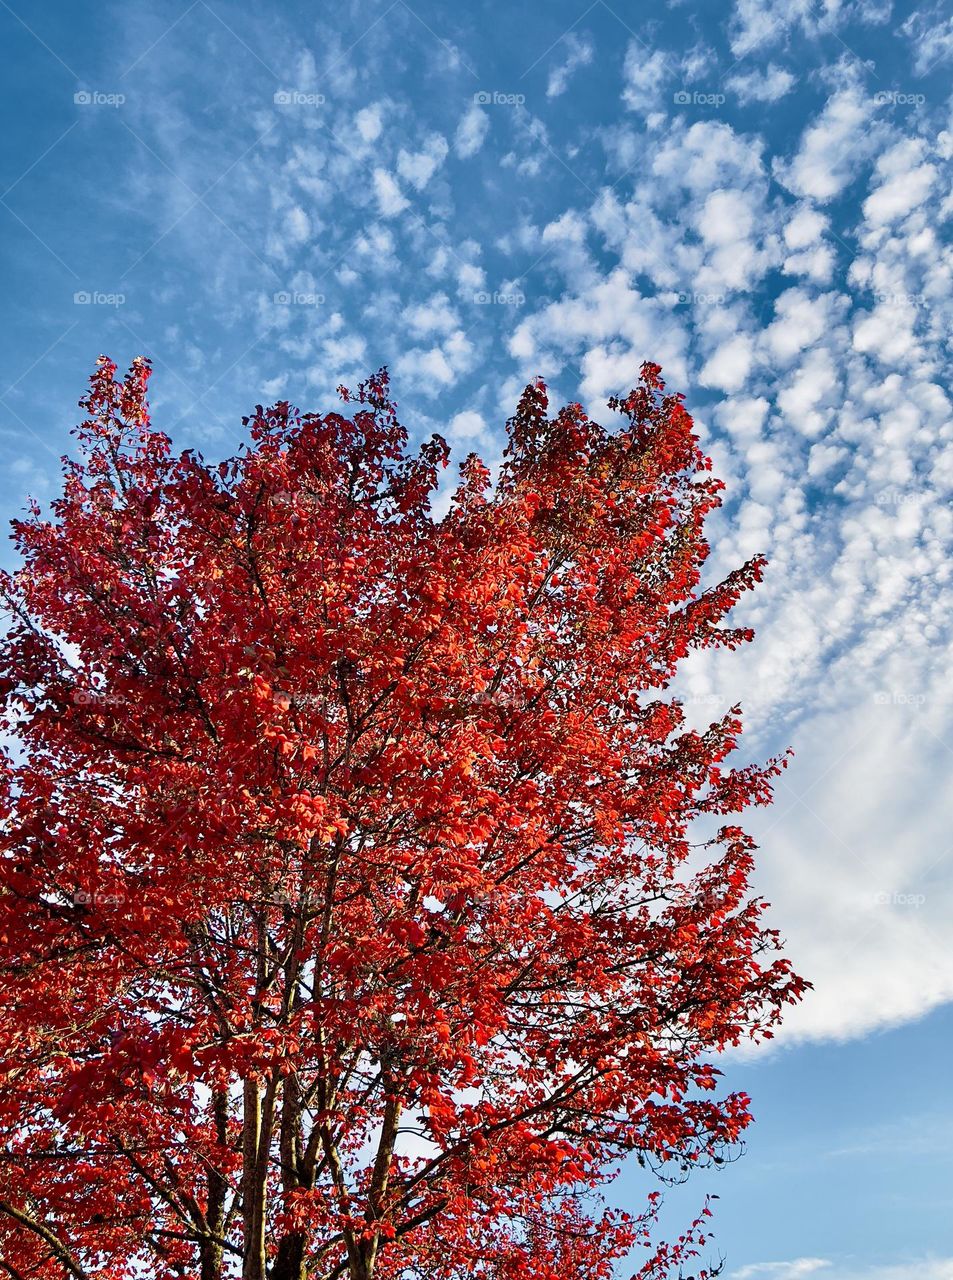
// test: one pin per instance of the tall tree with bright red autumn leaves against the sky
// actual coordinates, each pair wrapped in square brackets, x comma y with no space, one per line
[351,924]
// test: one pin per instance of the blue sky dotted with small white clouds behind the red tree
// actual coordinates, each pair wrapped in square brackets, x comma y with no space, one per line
[269,200]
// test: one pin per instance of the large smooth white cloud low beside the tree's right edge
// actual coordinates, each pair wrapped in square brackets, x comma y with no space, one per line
[862,890]
